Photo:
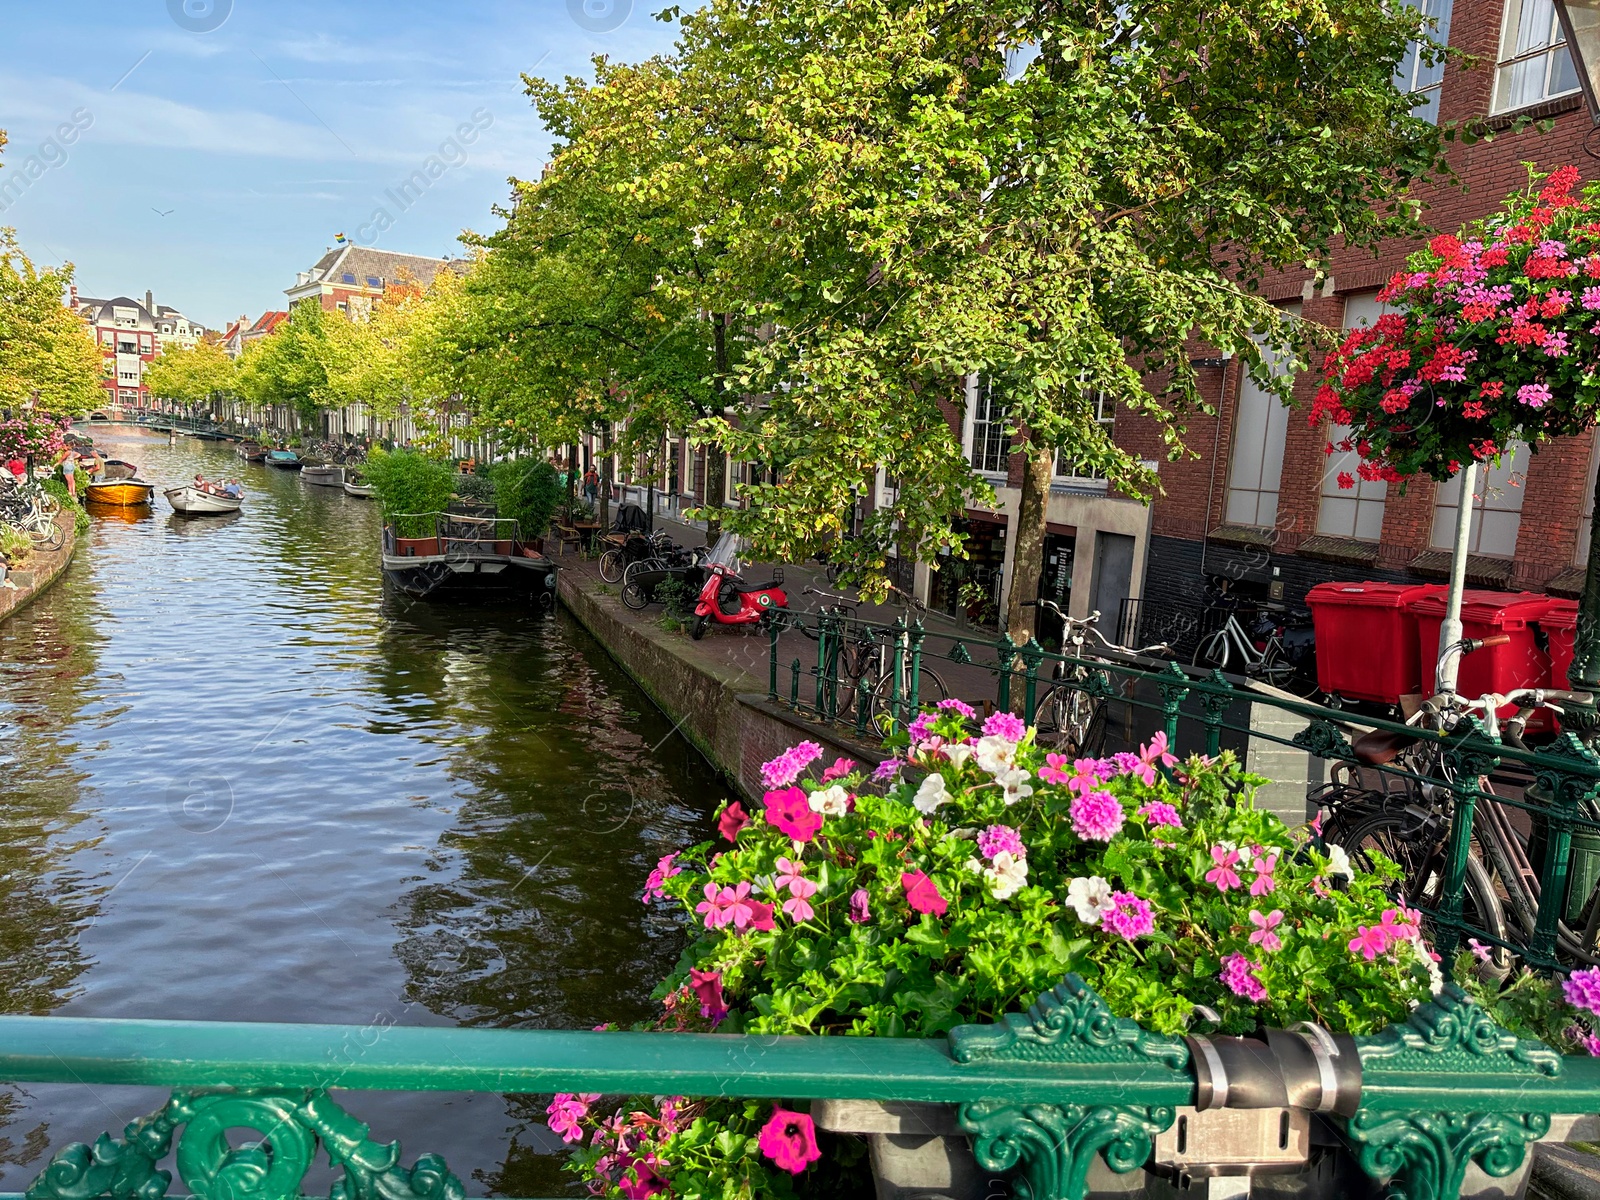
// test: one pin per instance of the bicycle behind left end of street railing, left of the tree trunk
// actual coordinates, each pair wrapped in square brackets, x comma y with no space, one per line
[862,670]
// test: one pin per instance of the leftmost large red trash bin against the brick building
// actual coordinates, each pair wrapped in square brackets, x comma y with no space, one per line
[1367,641]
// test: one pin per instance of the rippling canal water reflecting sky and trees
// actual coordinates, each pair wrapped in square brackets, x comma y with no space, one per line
[241,782]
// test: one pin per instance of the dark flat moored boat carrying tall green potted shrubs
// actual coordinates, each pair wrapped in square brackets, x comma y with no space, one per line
[466,559]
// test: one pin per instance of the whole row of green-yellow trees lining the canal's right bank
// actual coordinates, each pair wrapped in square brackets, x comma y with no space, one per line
[798,236]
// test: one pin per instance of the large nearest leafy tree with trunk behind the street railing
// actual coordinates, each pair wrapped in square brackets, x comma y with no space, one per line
[926,209]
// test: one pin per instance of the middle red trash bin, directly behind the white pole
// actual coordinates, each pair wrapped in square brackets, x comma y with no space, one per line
[1516,665]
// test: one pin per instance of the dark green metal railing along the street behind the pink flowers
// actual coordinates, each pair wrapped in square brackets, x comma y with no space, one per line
[1558,786]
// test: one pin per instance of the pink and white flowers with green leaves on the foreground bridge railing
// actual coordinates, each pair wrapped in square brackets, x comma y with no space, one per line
[958,882]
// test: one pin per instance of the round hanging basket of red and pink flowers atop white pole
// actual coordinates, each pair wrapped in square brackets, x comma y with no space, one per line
[1494,335]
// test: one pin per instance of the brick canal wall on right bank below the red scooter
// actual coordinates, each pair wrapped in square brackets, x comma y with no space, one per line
[722,710]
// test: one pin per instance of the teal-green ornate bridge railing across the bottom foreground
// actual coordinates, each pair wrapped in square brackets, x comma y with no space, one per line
[1041,1095]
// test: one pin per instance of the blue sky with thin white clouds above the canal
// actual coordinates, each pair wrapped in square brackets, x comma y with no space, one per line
[215,166]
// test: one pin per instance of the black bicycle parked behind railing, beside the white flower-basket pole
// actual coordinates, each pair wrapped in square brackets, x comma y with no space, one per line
[1410,820]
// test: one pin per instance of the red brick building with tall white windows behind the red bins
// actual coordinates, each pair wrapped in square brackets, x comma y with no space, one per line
[1262,506]
